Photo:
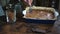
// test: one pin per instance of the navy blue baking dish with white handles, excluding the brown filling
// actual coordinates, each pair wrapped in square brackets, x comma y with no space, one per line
[40,21]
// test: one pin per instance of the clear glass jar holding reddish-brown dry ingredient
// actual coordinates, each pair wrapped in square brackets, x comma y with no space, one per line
[10,14]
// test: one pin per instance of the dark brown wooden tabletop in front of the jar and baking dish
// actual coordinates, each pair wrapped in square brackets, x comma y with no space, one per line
[21,27]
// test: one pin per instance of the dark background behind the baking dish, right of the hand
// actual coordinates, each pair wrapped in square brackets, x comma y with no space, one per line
[47,3]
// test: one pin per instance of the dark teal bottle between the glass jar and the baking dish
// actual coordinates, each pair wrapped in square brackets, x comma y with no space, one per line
[18,8]
